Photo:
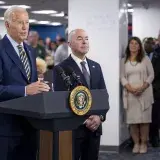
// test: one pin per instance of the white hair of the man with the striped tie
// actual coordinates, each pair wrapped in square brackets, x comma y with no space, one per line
[8,13]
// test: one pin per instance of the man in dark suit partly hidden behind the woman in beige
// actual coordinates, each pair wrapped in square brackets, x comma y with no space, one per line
[154,56]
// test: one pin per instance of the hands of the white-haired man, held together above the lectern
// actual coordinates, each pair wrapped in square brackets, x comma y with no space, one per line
[36,87]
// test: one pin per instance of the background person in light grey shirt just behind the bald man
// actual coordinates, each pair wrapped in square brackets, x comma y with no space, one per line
[62,52]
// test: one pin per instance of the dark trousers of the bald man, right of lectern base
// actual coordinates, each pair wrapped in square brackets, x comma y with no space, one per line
[87,147]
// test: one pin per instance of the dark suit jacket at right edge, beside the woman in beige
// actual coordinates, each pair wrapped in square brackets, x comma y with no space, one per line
[156,81]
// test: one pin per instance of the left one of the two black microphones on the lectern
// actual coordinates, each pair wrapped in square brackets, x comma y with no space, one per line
[65,78]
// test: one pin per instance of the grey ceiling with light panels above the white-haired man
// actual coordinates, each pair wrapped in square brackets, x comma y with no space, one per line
[57,5]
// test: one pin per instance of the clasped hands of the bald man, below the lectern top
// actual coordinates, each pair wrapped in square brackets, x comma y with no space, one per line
[93,122]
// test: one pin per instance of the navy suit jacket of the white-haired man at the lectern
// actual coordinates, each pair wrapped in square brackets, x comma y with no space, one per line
[13,80]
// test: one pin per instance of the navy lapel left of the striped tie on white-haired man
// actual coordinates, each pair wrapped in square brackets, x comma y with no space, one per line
[13,55]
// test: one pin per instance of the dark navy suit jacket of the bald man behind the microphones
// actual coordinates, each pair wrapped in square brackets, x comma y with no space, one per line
[96,82]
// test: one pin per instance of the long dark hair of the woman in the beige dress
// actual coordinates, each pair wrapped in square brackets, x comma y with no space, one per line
[140,55]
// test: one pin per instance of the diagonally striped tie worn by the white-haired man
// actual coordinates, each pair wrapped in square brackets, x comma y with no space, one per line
[25,61]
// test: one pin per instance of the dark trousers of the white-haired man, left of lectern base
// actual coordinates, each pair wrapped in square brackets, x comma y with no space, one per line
[18,148]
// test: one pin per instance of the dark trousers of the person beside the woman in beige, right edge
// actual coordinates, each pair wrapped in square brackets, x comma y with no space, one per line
[154,126]
